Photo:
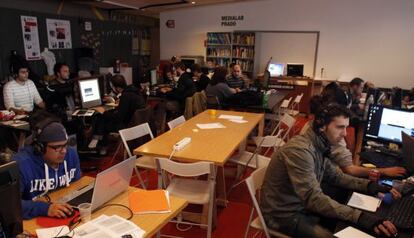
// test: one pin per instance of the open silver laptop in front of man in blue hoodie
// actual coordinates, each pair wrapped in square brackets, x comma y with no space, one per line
[107,185]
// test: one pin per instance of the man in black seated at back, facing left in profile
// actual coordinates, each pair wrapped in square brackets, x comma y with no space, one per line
[185,88]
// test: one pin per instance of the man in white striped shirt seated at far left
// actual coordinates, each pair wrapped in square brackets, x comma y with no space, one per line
[20,95]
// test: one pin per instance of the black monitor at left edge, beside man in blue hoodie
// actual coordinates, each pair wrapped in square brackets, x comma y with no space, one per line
[10,200]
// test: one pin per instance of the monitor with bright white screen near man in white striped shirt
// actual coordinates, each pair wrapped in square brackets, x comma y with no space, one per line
[90,93]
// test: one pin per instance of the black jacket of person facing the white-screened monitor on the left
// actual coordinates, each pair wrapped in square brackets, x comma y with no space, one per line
[130,100]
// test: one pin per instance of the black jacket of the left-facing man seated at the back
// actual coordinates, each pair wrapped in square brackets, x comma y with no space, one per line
[185,88]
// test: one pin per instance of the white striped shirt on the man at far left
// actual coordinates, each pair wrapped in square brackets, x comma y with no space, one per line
[21,96]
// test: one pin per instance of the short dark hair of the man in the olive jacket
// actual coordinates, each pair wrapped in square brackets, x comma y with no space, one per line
[326,113]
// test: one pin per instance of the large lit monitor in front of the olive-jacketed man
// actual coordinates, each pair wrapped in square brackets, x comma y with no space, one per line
[386,124]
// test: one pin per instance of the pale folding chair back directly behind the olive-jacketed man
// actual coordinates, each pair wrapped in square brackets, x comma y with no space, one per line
[254,183]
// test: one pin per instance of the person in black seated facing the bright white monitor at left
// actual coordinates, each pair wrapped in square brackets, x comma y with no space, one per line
[115,120]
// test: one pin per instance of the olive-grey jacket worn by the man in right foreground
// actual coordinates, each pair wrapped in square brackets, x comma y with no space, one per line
[292,181]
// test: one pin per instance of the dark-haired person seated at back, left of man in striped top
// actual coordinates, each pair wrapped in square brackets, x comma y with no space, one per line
[218,86]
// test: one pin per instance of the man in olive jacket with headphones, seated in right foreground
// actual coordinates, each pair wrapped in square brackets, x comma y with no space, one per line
[292,199]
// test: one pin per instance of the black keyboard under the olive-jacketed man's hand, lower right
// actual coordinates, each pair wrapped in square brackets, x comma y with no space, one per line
[401,213]
